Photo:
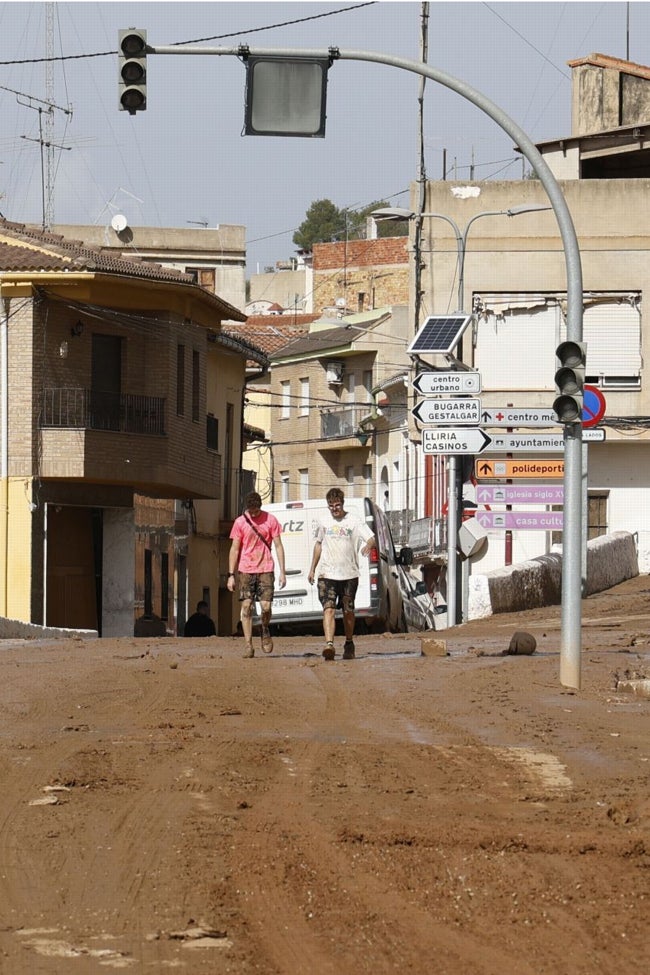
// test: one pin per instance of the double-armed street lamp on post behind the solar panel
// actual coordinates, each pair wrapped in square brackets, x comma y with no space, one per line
[454,468]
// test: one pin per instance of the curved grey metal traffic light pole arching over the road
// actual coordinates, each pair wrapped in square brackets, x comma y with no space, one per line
[570,649]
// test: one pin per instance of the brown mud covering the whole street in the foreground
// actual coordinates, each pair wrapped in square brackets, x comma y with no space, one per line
[169,806]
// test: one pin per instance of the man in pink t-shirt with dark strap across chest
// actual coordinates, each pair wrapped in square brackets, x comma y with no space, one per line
[252,535]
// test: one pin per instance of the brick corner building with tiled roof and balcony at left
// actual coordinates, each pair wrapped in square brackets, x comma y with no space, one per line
[117,383]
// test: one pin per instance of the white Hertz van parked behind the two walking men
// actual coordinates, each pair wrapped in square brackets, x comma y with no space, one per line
[378,603]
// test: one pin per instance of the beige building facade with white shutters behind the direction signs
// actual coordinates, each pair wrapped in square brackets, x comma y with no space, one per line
[515,282]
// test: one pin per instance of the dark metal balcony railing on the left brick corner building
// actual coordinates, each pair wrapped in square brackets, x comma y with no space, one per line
[87,409]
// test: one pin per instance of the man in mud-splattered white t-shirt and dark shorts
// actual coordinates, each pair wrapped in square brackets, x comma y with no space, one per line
[340,538]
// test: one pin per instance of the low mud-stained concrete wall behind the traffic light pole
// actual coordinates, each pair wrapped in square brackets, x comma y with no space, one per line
[610,559]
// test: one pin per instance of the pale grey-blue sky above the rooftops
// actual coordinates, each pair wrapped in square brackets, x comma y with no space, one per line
[185,162]
